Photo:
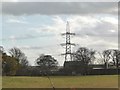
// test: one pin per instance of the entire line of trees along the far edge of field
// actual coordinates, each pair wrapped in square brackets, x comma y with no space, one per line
[16,60]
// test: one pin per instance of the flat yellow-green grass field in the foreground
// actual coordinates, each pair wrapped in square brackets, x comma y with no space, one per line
[106,81]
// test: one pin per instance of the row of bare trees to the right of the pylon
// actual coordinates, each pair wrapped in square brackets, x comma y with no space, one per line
[107,57]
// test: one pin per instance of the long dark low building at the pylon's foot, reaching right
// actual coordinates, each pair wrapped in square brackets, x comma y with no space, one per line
[76,67]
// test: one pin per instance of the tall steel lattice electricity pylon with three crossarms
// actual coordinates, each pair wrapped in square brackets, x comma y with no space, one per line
[68,53]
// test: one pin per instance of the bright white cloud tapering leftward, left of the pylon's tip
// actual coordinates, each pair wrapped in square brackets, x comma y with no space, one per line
[57,27]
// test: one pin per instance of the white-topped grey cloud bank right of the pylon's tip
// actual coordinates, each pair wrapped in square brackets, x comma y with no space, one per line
[94,26]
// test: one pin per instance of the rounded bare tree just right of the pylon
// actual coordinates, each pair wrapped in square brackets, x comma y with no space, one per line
[85,56]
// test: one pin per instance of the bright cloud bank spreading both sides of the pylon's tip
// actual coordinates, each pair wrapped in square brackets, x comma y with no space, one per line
[92,26]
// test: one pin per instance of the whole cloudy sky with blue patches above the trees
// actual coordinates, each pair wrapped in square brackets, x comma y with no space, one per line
[35,27]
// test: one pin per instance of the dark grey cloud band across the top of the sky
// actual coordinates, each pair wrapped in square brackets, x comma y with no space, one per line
[55,8]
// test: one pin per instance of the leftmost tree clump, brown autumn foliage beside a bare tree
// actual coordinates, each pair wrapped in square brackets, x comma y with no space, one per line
[14,62]
